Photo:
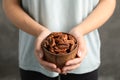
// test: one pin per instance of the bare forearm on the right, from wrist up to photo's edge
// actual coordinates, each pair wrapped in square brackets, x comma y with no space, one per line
[98,17]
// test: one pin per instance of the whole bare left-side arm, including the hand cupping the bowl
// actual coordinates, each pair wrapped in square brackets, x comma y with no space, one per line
[23,21]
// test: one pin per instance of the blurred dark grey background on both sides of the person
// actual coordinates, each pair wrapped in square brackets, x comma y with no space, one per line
[110,51]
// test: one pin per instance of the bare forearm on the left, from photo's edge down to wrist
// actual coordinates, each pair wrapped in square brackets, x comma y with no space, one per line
[22,20]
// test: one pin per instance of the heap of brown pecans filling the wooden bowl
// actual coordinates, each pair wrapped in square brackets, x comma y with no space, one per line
[60,43]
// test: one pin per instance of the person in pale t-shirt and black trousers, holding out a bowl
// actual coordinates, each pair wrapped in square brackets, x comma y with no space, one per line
[38,18]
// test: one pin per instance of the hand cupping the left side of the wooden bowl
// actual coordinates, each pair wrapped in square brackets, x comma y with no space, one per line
[39,54]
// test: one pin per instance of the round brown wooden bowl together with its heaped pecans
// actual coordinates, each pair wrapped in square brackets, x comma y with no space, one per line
[59,47]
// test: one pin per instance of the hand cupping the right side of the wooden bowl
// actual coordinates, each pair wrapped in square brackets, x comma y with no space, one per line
[75,63]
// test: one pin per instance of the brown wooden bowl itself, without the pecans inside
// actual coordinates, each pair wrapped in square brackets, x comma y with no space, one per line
[59,59]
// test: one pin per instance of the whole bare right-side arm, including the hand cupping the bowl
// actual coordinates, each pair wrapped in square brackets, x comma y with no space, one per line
[97,18]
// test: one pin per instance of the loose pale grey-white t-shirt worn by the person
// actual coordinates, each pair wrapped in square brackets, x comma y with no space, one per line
[59,16]
